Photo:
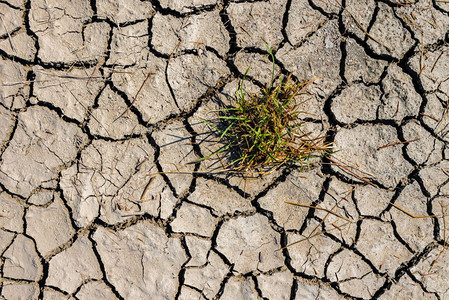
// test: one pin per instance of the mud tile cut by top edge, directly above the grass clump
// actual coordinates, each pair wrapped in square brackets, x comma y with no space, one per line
[257,22]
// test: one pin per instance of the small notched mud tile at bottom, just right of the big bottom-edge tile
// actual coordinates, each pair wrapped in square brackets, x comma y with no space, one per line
[207,278]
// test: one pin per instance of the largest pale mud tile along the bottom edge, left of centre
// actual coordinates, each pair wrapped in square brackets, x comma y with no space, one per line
[149,259]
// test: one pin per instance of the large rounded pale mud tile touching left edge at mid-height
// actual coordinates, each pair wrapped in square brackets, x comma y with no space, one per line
[42,143]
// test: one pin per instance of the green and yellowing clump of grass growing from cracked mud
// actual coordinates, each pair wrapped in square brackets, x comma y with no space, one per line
[264,130]
